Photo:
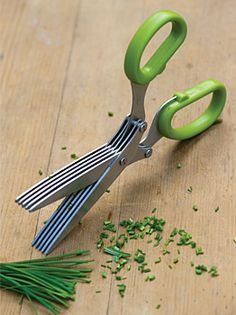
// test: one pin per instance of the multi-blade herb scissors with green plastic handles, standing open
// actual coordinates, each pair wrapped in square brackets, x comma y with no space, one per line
[83,181]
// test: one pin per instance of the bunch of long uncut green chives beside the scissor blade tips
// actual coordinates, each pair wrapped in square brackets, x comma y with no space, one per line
[50,280]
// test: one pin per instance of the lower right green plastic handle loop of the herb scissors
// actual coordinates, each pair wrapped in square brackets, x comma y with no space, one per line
[185,98]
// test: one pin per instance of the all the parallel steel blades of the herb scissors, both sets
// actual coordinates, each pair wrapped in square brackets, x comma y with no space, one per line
[83,182]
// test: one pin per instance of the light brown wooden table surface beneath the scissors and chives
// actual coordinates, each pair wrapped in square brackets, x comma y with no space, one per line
[61,72]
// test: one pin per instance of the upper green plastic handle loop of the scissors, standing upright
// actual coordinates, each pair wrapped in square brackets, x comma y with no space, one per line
[156,64]
